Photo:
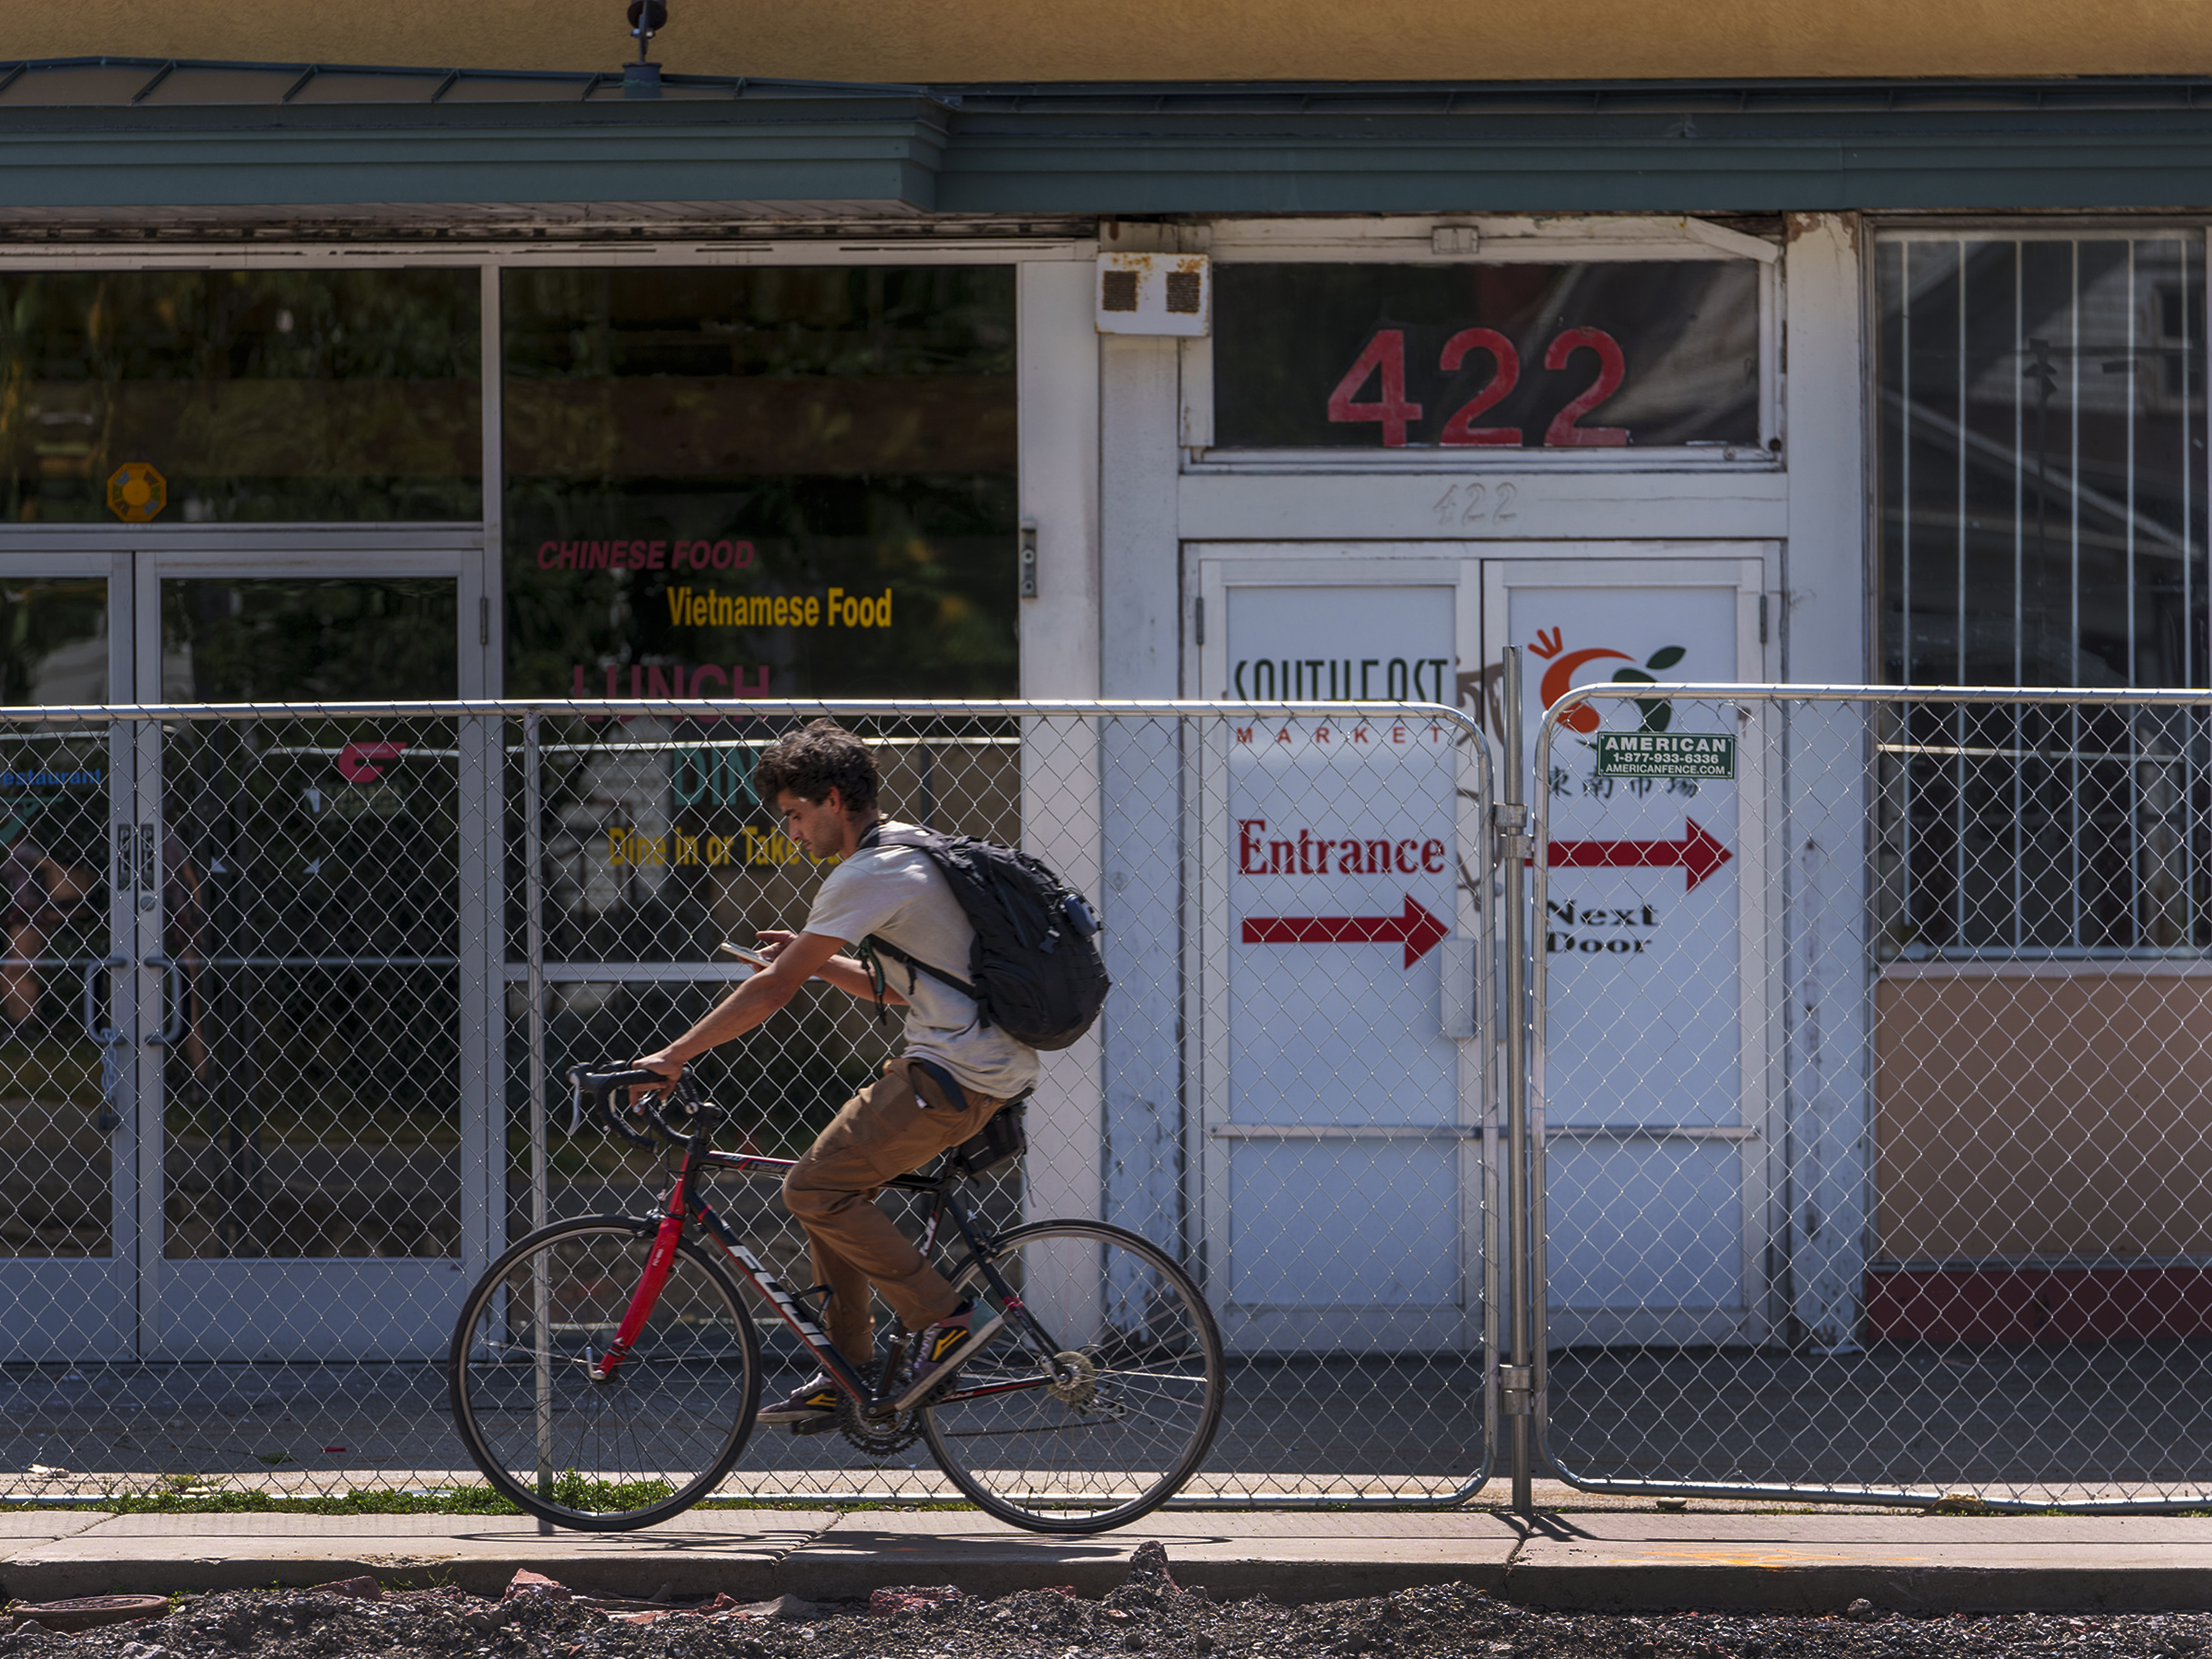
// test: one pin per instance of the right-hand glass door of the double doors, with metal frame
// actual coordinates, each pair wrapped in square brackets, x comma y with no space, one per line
[322,1136]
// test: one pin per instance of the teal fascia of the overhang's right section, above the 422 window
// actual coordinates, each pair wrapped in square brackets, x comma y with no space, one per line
[1665,160]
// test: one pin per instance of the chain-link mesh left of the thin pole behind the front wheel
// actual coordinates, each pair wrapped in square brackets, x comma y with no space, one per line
[249,1092]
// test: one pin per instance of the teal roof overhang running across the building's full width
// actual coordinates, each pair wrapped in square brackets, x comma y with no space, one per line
[118,143]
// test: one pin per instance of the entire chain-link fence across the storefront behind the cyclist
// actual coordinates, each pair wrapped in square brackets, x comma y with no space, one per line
[1868,1140]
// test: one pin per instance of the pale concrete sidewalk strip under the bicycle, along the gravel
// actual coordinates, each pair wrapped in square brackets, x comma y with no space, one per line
[1596,1561]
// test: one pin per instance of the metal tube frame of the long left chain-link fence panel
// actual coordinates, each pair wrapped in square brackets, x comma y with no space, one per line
[532,713]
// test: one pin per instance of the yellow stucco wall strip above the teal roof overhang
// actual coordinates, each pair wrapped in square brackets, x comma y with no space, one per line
[1162,39]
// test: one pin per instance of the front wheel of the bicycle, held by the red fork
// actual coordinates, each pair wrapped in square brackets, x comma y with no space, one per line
[638,1448]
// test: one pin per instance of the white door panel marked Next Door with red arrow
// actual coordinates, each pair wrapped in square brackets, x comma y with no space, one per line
[1651,1089]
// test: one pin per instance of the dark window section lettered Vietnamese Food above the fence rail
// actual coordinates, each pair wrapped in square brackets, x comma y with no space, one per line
[766,483]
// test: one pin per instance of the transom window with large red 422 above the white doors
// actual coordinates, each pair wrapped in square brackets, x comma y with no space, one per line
[1647,353]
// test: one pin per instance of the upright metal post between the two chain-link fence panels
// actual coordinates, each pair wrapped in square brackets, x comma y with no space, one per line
[1514,851]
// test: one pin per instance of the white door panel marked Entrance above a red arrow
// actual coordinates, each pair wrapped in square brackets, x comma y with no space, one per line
[1339,1125]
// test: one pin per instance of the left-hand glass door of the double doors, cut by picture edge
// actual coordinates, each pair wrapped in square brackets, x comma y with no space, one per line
[67,1118]
